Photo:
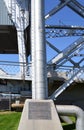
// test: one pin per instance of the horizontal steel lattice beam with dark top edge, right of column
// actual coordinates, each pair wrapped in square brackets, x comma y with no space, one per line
[53,31]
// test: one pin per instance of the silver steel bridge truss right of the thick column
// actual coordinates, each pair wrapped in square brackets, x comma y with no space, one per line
[70,59]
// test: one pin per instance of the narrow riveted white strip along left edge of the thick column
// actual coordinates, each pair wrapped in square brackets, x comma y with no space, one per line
[33,46]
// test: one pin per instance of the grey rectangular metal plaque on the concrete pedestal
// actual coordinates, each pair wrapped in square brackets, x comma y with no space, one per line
[39,111]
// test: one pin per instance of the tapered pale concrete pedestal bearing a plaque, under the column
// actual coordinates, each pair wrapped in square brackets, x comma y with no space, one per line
[39,115]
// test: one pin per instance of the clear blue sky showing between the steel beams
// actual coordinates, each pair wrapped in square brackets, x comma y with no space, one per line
[64,17]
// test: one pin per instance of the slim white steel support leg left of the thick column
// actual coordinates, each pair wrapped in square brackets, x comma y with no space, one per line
[21,45]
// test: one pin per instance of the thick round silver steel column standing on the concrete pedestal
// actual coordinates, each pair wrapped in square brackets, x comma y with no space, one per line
[40,50]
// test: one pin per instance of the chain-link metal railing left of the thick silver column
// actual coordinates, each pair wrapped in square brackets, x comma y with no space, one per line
[13,68]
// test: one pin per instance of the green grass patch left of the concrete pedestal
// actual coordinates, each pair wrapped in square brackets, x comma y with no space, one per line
[9,120]
